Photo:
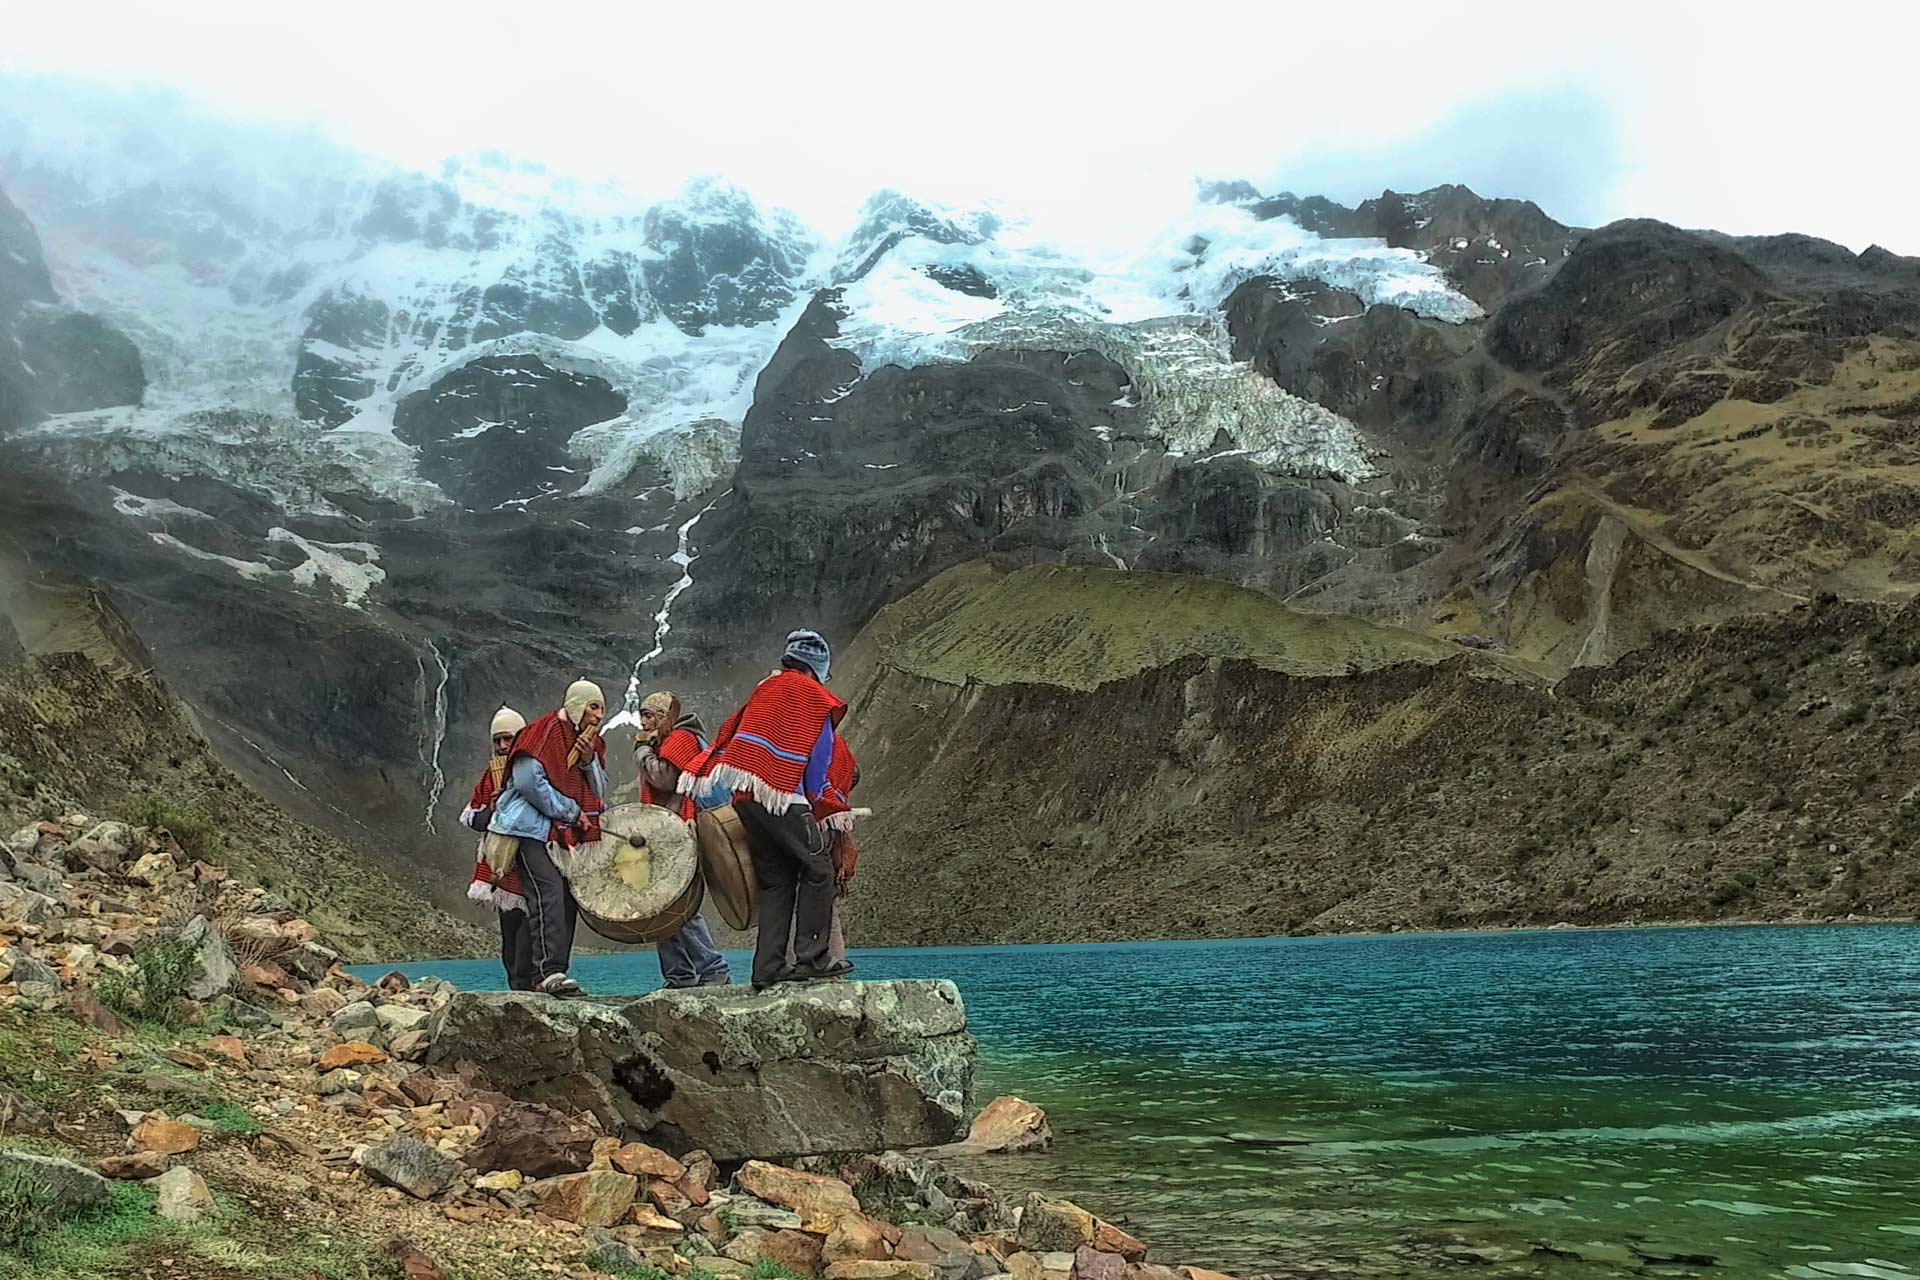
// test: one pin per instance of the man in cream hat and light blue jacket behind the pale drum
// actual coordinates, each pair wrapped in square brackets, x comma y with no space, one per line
[552,803]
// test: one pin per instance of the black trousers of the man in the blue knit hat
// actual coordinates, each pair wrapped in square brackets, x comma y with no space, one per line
[796,872]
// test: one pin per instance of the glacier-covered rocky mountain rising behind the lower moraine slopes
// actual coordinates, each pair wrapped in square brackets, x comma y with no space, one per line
[366,454]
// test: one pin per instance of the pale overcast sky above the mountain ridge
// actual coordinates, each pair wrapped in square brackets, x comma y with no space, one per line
[1748,118]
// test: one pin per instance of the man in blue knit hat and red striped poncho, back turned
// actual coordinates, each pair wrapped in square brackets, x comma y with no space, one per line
[773,753]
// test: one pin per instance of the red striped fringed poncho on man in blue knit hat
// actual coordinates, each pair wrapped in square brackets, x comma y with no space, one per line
[761,751]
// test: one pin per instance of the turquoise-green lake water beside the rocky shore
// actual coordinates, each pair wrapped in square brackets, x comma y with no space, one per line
[1518,1104]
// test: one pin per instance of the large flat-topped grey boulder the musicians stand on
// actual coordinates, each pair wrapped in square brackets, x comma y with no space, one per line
[813,1070]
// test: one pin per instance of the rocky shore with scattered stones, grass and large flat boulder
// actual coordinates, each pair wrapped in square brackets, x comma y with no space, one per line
[193,1085]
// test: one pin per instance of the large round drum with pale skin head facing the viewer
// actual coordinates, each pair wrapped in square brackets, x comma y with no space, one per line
[642,880]
